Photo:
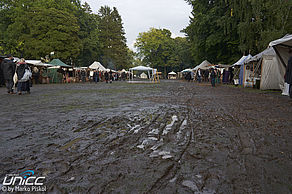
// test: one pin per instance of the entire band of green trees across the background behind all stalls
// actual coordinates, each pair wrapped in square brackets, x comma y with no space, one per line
[220,31]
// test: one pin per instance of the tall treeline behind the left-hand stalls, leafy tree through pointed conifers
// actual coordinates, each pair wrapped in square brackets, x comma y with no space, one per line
[34,28]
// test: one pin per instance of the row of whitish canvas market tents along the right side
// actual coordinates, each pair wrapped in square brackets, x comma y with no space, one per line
[265,70]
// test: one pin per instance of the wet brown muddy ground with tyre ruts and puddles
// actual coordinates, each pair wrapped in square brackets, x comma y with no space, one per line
[172,137]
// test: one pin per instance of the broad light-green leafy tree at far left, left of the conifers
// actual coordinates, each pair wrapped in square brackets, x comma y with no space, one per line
[33,29]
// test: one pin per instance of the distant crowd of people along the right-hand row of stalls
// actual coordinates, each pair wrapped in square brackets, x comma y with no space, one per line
[212,75]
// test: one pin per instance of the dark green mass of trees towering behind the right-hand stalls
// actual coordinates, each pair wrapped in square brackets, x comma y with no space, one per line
[222,30]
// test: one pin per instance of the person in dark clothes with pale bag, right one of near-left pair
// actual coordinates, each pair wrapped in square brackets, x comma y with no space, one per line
[23,76]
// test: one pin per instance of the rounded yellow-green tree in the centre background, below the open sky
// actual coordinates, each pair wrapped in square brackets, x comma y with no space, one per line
[159,50]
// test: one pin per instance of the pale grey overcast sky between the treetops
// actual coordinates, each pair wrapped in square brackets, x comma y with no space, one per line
[140,15]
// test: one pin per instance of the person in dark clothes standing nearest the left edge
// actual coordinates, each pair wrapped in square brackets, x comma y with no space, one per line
[8,67]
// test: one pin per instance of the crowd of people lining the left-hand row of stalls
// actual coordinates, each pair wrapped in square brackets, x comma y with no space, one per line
[18,76]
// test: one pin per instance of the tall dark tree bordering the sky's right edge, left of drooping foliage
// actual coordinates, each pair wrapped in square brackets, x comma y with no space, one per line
[212,32]
